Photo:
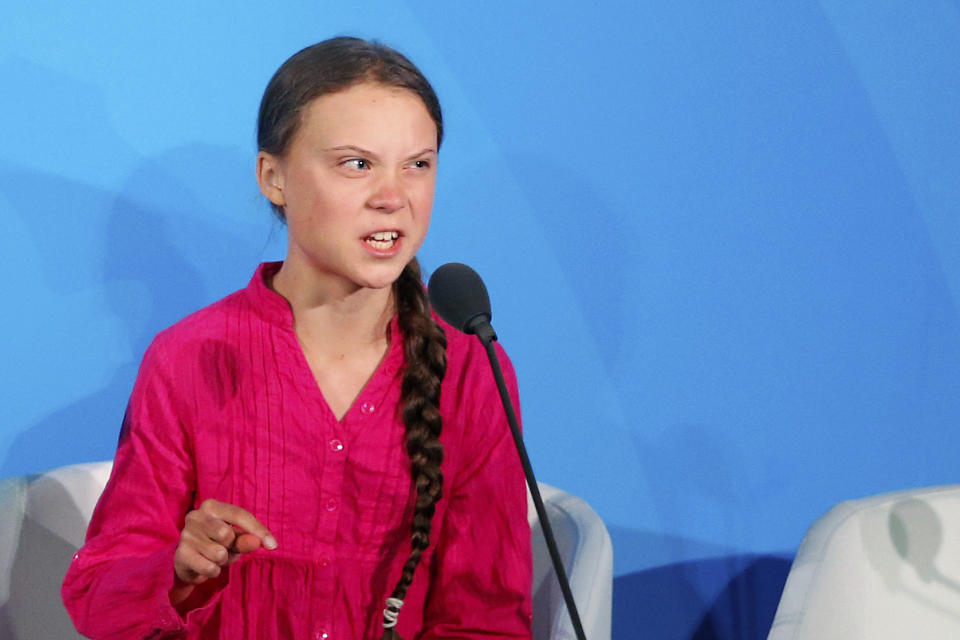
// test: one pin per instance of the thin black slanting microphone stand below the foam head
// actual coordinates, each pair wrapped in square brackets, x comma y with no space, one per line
[481,327]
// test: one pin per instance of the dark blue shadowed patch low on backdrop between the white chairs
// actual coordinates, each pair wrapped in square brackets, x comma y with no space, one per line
[670,603]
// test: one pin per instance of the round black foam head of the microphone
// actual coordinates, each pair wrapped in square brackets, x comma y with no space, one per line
[459,296]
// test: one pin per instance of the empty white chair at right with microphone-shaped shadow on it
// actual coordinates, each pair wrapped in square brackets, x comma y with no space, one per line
[882,567]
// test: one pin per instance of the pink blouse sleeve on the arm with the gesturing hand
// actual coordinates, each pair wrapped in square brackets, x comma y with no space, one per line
[118,584]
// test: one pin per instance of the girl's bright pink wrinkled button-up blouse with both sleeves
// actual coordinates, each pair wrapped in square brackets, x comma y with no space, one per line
[225,407]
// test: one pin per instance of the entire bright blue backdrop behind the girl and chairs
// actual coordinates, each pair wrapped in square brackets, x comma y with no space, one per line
[722,242]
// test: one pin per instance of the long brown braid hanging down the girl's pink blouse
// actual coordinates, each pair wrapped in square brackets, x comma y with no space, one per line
[425,354]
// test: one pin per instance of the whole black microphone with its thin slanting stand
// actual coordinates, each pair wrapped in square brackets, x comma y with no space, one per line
[459,296]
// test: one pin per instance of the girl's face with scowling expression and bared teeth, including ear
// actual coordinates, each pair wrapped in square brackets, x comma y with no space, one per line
[356,184]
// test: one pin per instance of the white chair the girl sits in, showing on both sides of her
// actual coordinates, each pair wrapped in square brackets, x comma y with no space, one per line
[43,521]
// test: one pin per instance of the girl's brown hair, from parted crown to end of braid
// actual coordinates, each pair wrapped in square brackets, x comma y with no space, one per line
[327,67]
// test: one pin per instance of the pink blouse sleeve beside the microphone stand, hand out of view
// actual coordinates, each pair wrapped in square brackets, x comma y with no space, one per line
[482,566]
